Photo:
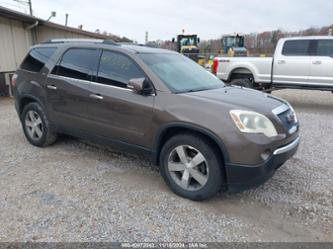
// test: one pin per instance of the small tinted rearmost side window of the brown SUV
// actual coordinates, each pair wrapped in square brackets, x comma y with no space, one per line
[37,58]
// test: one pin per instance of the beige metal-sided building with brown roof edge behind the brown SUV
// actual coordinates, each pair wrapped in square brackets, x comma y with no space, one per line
[18,32]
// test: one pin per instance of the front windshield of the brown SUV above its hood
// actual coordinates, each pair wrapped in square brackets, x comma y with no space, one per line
[180,74]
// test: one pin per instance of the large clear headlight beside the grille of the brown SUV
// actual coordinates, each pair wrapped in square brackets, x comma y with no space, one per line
[253,122]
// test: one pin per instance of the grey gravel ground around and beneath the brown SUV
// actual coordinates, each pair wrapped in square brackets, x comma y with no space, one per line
[75,191]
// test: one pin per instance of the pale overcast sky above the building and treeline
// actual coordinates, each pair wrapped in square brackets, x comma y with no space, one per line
[163,19]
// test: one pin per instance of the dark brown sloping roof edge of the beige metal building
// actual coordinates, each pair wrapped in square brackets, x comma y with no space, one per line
[12,14]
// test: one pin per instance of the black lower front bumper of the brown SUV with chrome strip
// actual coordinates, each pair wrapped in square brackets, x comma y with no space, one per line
[242,177]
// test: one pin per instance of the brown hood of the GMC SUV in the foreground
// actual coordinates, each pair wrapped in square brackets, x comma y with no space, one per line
[240,98]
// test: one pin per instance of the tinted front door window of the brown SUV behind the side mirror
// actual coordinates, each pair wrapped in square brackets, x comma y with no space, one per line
[117,69]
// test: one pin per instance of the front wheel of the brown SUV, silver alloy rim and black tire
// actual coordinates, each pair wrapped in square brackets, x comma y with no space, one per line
[191,167]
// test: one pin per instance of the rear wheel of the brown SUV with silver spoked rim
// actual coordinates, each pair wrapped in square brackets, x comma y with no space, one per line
[36,125]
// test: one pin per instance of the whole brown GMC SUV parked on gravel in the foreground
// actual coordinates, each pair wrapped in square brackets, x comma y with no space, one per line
[204,136]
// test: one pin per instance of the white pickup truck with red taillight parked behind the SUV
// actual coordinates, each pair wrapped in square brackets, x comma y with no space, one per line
[298,62]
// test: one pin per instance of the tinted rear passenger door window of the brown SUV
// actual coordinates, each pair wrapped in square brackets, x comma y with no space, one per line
[78,63]
